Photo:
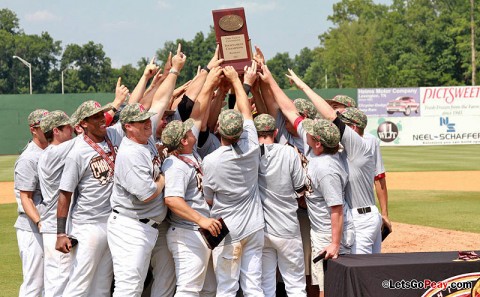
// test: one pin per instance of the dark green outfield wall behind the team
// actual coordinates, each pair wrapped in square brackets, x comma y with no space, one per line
[14,110]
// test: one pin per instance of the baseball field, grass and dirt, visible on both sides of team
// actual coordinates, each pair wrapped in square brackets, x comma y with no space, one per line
[434,204]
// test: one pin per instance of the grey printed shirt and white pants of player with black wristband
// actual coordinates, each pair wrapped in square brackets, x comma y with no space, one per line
[86,172]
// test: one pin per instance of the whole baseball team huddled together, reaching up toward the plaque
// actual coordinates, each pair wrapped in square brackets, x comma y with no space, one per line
[126,196]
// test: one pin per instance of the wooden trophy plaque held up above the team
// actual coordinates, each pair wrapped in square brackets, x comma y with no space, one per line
[232,35]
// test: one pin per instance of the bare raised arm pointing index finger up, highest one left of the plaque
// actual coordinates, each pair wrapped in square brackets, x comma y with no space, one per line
[162,96]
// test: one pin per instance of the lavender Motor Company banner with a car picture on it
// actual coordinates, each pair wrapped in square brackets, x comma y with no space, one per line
[393,102]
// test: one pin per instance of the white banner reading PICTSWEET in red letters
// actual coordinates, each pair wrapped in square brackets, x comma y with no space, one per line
[450,101]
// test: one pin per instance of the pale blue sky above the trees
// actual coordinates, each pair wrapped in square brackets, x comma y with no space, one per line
[130,30]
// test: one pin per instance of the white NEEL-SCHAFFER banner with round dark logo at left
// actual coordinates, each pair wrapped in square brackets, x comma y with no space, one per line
[433,130]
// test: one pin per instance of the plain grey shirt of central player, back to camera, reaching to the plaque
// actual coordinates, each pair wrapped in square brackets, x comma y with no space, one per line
[231,180]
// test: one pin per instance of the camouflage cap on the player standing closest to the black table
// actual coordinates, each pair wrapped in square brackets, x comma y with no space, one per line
[323,131]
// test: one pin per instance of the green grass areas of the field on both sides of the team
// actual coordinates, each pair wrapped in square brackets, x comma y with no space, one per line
[440,209]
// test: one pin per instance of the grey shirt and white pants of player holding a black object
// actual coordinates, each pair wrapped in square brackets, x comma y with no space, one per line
[190,253]
